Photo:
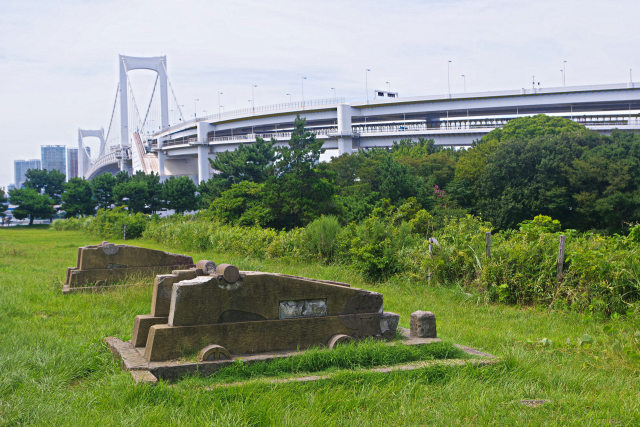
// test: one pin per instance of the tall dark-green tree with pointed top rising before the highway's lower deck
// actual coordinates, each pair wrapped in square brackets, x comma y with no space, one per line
[298,192]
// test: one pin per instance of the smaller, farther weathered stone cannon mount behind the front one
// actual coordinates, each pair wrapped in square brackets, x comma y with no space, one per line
[109,263]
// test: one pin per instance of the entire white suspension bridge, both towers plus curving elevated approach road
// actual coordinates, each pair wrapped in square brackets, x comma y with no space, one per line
[136,141]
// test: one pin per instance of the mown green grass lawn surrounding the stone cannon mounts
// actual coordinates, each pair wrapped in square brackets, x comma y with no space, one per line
[55,368]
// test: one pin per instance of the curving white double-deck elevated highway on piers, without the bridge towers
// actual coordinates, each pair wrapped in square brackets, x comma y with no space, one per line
[451,120]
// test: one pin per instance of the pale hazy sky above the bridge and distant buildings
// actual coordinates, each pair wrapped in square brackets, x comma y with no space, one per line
[59,59]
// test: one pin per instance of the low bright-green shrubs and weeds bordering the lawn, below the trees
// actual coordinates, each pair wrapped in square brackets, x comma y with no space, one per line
[600,275]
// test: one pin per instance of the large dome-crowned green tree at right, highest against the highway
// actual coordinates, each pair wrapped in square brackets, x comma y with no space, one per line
[524,170]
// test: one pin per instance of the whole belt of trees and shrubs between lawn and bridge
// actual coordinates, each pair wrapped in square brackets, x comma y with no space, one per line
[416,210]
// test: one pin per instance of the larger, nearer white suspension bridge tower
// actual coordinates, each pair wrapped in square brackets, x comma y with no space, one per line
[159,65]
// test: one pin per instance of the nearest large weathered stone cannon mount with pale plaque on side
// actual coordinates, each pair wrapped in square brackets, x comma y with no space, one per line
[252,312]
